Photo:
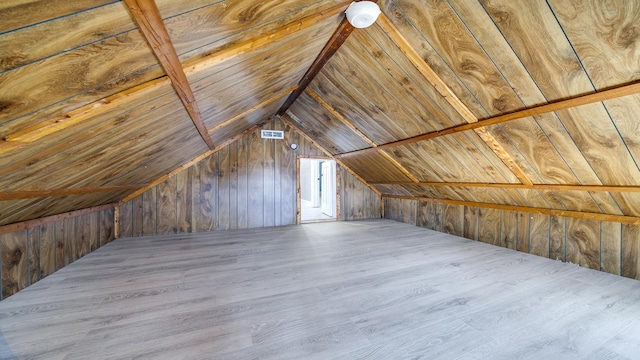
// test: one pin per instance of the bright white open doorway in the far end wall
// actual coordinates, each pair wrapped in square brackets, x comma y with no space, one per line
[317,190]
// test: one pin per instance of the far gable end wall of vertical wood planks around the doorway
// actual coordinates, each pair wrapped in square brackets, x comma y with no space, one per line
[247,184]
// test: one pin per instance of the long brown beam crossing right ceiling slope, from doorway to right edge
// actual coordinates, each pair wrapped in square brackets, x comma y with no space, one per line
[614,93]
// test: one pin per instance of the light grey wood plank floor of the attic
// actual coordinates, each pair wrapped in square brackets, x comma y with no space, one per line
[349,290]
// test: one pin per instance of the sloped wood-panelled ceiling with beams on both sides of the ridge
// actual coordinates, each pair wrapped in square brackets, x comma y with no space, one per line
[438,99]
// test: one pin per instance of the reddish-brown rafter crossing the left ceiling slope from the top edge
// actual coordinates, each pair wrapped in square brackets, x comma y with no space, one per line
[149,20]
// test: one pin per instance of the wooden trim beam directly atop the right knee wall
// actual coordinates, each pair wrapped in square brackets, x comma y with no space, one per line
[572,214]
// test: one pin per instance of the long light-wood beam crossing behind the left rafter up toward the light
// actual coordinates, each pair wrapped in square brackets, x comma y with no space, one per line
[33,133]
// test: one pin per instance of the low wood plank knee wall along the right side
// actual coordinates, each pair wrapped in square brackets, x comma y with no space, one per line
[601,245]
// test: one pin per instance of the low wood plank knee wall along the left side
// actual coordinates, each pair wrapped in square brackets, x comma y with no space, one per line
[34,253]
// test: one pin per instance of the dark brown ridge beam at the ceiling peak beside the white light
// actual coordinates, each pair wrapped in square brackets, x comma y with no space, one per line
[336,40]
